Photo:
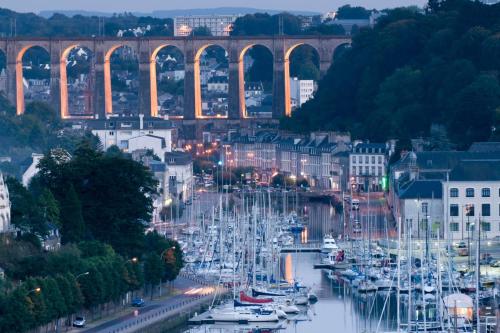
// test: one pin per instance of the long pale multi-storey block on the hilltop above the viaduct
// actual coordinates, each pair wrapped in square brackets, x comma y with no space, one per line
[219,25]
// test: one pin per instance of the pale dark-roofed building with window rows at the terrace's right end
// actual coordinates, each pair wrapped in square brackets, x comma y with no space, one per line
[367,165]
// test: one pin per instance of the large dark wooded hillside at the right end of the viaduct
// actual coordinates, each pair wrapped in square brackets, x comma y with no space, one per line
[411,71]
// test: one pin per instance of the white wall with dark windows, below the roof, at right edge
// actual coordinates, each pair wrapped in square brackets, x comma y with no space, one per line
[467,202]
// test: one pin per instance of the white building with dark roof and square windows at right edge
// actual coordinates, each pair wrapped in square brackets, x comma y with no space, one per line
[471,195]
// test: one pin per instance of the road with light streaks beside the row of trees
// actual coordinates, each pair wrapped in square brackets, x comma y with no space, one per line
[188,290]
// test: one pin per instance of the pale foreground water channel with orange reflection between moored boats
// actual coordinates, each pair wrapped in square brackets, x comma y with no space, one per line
[338,308]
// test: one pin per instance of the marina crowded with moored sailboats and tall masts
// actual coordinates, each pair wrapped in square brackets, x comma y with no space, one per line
[289,269]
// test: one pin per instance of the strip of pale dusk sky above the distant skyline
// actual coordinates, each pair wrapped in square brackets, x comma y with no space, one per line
[150,5]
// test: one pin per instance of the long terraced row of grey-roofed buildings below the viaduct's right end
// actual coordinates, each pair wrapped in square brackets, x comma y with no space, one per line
[317,158]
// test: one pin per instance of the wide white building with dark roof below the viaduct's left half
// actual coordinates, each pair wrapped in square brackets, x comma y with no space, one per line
[131,133]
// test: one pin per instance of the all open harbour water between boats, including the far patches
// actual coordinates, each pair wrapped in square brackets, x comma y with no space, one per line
[338,309]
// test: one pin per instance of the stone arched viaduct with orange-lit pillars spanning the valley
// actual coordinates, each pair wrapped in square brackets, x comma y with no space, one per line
[146,50]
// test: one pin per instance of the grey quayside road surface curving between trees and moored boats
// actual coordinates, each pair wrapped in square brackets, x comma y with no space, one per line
[186,291]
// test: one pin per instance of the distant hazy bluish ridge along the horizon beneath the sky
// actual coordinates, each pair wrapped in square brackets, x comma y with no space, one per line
[179,12]
